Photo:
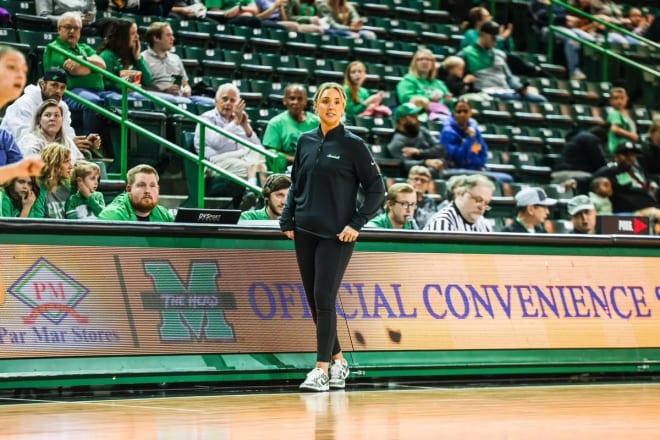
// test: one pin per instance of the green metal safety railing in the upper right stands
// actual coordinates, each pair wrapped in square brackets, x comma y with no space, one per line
[603,47]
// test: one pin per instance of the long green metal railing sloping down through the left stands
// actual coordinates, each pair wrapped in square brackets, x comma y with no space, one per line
[125,124]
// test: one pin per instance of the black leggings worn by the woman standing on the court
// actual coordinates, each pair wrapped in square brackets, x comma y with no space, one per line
[322,263]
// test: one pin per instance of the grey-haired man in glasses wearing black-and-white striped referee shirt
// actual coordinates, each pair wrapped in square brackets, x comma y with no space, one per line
[465,213]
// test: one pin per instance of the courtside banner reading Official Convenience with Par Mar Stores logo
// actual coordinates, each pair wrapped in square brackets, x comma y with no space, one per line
[62,301]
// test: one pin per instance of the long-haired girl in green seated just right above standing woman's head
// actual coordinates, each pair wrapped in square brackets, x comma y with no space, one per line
[361,102]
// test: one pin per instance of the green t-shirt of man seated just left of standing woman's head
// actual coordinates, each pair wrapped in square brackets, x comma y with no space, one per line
[282,132]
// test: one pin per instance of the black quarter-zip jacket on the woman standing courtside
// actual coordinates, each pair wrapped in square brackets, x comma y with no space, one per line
[326,174]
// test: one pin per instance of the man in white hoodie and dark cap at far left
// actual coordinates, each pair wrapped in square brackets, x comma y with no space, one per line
[20,114]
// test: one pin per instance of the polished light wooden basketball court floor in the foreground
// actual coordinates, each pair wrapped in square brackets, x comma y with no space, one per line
[628,411]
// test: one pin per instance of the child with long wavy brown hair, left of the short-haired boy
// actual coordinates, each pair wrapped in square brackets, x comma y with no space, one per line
[54,183]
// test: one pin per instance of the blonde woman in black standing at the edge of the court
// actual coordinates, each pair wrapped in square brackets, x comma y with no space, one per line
[321,215]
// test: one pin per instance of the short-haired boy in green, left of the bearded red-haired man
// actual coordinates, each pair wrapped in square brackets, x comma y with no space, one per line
[86,203]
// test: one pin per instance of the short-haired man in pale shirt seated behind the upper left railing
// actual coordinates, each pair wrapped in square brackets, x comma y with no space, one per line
[169,77]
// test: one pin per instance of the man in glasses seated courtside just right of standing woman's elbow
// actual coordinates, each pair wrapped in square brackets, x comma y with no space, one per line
[399,209]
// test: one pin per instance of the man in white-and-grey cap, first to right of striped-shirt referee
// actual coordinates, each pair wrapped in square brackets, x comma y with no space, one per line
[533,209]
